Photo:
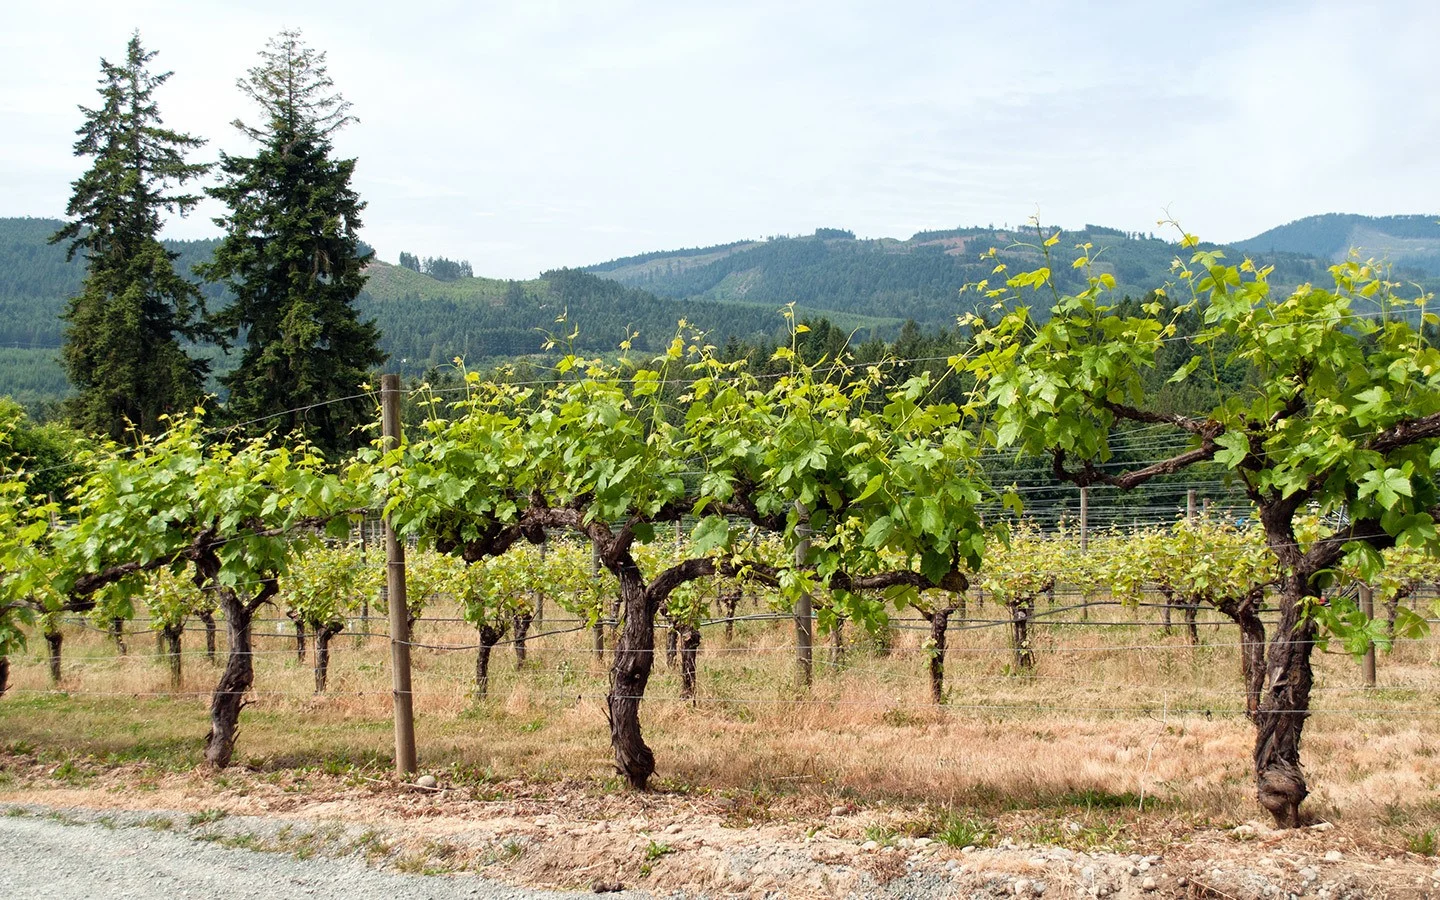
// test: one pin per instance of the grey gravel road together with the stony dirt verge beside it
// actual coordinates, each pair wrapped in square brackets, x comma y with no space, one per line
[195,834]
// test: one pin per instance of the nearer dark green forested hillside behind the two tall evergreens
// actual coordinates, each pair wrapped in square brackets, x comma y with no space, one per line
[424,322]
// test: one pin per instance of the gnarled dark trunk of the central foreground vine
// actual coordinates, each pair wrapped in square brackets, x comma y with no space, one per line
[630,676]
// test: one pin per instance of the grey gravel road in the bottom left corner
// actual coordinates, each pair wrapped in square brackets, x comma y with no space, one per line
[73,859]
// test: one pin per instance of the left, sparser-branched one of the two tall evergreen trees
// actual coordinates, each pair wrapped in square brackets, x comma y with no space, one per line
[123,342]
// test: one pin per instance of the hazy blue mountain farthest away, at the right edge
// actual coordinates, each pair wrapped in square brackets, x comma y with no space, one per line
[1409,243]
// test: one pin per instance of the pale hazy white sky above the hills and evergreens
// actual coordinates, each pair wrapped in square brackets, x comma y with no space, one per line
[532,135]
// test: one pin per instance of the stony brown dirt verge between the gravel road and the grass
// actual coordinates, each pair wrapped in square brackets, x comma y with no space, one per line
[709,845]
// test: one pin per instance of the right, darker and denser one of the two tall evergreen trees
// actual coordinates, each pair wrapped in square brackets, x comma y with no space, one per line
[293,260]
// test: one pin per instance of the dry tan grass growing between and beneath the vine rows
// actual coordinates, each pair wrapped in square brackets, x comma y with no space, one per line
[1111,715]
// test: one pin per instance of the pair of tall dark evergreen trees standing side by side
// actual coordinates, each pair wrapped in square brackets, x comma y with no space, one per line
[290,261]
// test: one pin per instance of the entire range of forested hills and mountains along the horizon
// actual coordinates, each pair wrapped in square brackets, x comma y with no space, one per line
[868,287]
